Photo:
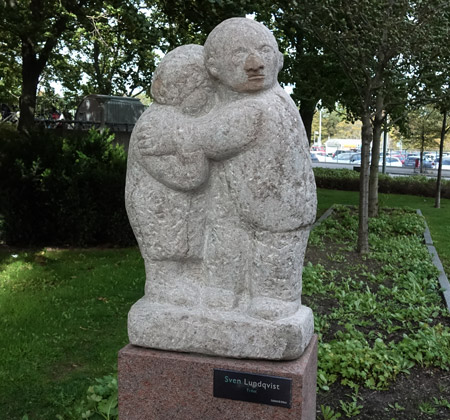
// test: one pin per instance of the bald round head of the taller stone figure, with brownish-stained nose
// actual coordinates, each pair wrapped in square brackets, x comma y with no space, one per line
[243,55]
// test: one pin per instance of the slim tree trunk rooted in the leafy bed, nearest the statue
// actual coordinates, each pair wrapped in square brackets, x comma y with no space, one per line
[363,228]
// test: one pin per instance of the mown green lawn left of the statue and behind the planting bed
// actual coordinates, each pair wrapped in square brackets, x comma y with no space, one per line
[63,314]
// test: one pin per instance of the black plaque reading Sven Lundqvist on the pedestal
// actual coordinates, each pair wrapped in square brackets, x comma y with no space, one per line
[262,389]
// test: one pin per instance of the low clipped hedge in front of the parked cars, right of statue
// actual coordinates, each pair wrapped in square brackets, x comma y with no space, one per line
[348,180]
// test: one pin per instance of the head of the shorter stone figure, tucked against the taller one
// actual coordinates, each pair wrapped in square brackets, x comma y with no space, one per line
[181,79]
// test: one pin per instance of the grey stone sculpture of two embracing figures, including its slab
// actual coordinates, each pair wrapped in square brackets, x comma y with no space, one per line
[221,196]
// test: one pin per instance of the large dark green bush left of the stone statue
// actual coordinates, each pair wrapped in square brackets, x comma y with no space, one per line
[63,190]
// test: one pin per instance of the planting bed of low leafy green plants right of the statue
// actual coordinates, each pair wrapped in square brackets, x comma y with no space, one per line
[384,330]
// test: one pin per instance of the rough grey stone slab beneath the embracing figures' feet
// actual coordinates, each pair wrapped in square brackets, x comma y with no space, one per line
[219,333]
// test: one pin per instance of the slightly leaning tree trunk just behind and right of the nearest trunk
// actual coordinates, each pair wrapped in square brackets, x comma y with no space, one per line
[373,180]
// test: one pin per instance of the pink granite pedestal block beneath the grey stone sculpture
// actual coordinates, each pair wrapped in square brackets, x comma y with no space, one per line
[160,385]
